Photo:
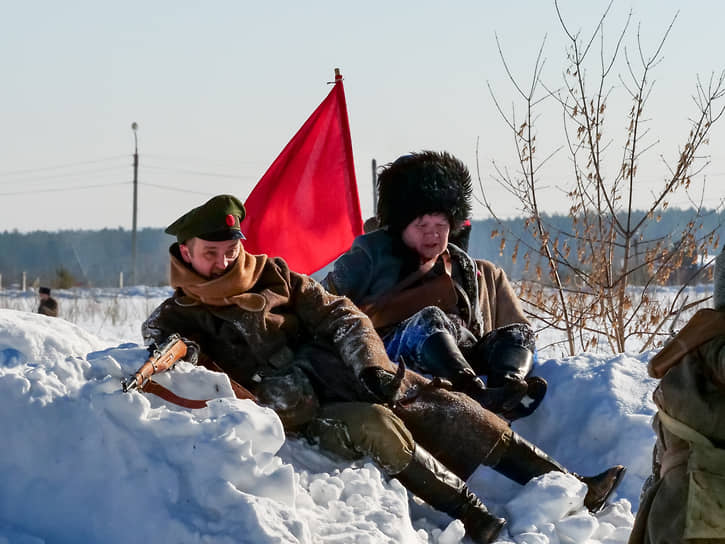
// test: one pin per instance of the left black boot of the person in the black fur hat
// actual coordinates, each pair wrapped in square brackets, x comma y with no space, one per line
[441,357]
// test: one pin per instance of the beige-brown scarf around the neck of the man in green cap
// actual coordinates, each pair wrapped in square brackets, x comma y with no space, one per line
[226,290]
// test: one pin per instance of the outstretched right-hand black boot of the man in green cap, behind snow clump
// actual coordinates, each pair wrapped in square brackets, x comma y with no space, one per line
[521,461]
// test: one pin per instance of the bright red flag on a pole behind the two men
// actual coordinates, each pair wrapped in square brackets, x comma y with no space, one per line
[305,208]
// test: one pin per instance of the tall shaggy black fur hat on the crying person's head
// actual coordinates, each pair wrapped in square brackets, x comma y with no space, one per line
[423,183]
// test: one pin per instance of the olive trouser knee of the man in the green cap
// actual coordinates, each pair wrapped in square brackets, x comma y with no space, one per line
[383,436]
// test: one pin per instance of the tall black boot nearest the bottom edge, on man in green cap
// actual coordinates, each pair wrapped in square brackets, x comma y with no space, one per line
[428,479]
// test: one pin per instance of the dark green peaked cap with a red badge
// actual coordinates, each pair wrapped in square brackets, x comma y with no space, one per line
[216,220]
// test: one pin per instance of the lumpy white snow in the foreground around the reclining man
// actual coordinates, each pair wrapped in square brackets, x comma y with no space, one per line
[84,462]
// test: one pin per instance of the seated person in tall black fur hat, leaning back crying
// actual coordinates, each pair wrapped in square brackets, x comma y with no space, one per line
[443,312]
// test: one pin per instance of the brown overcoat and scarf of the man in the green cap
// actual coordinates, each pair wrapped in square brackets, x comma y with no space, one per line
[287,320]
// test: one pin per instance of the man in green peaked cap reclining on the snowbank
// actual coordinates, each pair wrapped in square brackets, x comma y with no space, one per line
[316,359]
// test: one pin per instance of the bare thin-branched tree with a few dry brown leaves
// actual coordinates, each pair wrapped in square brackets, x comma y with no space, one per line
[595,278]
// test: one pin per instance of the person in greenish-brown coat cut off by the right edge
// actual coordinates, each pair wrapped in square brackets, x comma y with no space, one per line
[685,497]
